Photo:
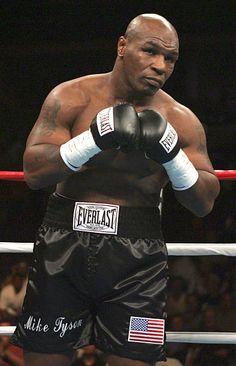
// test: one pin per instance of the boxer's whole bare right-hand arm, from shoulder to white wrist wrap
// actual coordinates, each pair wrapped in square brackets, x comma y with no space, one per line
[200,198]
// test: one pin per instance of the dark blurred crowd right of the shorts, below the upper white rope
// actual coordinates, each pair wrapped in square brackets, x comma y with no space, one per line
[202,298]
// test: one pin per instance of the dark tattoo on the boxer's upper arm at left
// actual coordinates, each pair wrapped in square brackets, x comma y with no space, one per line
[49,115]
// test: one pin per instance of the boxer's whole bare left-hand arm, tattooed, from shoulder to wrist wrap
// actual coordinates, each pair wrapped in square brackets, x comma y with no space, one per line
[43,165]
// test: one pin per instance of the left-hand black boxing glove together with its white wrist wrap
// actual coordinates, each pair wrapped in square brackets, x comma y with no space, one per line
[113,127]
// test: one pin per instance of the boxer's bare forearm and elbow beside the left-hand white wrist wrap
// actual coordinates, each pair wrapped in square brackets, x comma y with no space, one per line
[43,166]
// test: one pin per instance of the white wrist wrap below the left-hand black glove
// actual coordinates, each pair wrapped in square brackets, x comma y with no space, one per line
[78,150]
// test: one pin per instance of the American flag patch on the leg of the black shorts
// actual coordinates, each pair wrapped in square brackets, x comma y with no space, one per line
[146,330]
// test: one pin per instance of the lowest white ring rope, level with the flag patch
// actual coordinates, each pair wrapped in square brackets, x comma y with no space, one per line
[180,337]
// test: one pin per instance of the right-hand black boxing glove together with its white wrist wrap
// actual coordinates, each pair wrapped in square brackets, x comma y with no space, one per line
[160,142]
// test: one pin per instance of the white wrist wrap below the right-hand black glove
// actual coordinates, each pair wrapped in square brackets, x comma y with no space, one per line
[181,172]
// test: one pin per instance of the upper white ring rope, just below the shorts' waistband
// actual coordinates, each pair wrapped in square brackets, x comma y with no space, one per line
[191,249]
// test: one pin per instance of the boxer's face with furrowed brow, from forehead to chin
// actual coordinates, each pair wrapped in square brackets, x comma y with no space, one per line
[149,58]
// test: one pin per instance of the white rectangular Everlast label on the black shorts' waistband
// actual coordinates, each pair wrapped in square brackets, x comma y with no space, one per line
[96,218]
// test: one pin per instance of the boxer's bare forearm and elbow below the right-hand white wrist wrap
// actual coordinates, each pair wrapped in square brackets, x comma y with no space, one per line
[200,198]
